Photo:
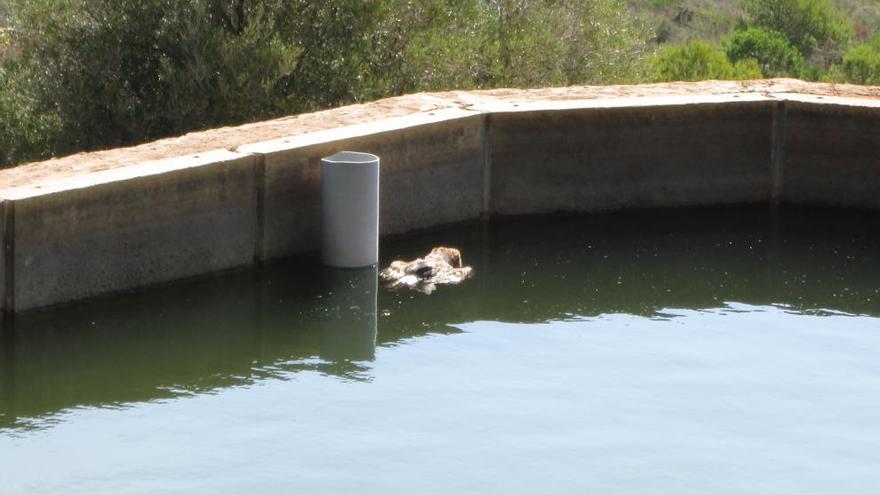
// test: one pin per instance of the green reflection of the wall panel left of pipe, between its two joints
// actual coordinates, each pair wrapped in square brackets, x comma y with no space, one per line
[136,348]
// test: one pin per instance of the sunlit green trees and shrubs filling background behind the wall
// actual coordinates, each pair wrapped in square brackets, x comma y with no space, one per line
[90,74]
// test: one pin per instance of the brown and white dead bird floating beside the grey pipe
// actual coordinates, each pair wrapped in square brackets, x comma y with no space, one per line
[441,266]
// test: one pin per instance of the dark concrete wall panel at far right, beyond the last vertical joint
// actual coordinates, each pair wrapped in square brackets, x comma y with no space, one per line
[832,155]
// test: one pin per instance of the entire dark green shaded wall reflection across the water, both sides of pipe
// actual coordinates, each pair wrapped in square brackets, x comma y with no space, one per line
[251,324]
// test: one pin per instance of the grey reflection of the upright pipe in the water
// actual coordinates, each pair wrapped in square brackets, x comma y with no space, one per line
[349,323]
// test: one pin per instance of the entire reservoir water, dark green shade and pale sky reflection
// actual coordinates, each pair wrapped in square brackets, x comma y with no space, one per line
[691,351]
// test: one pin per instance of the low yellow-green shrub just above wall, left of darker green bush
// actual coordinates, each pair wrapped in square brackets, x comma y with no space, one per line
[698,60]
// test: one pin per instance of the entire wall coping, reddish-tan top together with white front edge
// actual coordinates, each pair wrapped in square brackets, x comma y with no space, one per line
[205,147]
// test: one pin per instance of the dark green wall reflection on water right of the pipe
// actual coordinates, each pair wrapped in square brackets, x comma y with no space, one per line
[641,262]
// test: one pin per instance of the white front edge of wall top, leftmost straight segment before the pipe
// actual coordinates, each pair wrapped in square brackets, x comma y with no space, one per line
[142,169]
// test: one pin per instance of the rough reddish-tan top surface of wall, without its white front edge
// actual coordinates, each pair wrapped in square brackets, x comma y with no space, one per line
[414,105]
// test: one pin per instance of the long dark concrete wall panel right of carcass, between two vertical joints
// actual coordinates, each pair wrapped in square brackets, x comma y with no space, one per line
[598,159]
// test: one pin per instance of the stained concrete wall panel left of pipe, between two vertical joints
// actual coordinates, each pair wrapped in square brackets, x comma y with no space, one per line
[120,235]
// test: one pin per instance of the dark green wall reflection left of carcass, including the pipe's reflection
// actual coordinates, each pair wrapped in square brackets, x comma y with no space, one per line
[191,338]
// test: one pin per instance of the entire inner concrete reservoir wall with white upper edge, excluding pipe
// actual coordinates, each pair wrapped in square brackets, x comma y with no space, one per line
[102,231]
